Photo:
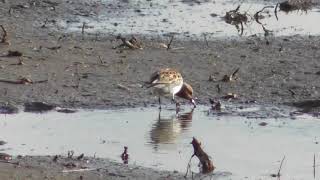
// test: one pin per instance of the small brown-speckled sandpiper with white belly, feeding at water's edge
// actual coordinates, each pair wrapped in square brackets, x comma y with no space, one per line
[169,82]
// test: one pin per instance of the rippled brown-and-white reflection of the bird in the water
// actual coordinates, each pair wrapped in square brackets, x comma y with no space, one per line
[166,130]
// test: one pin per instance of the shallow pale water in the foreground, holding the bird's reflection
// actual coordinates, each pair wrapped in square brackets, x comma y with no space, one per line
[237,144]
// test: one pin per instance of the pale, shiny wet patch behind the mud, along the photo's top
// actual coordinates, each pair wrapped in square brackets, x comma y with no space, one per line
[191,18]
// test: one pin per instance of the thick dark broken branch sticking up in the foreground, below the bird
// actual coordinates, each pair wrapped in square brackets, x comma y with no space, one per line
[206,163]
